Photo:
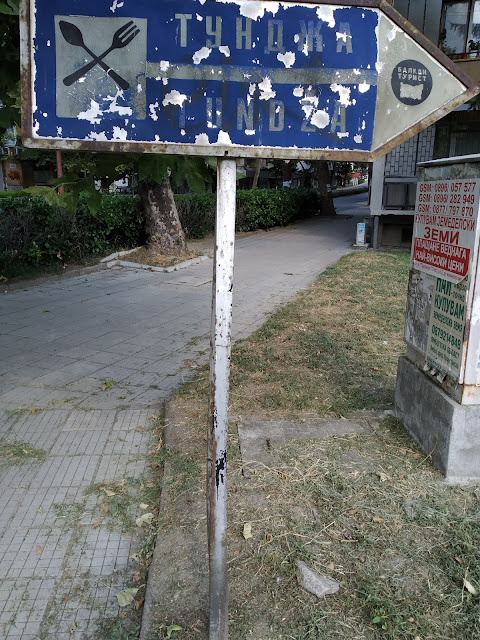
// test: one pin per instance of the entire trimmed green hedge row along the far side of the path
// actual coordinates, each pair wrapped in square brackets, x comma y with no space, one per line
[33,232]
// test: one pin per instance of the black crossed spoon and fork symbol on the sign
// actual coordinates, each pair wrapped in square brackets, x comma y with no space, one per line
[121,38]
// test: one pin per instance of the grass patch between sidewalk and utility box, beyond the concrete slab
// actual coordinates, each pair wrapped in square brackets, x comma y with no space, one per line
[334,349]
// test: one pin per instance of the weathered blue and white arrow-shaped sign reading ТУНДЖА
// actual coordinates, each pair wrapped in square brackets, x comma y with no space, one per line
[242,77]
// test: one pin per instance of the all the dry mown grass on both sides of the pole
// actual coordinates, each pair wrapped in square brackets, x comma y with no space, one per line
[367,510]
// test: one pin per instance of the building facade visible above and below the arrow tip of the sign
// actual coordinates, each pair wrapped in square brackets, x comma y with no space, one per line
[454,26]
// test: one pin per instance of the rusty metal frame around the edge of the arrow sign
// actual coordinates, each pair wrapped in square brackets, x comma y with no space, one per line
[225,150]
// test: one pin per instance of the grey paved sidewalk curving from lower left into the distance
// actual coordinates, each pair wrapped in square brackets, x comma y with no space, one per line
[84,364]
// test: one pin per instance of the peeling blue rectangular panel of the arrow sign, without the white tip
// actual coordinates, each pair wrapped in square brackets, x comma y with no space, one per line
[266,96]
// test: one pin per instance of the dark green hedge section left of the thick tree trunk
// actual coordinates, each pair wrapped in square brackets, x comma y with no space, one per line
[32,231]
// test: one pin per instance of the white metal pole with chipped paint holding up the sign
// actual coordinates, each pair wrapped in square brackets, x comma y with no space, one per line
[218,401]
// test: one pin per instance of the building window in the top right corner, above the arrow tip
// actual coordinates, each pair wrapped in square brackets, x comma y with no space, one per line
[460,34]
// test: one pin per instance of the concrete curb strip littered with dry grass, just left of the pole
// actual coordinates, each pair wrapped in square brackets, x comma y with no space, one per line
[177,582]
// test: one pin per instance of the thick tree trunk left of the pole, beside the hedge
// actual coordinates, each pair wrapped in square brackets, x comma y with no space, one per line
[162,224]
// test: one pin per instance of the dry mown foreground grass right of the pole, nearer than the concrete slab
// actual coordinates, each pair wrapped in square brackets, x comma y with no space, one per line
[370,512]
